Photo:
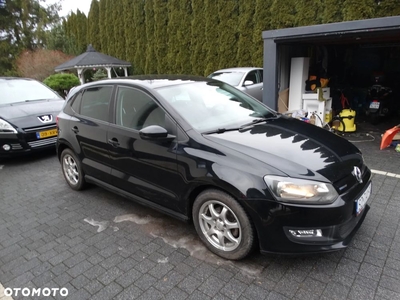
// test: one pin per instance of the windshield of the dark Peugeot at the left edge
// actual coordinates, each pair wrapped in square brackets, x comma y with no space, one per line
[20,90]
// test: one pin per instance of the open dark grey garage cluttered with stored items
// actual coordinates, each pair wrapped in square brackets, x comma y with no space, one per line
[354,63]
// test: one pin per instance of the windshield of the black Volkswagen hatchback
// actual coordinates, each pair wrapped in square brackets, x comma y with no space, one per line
[209,106]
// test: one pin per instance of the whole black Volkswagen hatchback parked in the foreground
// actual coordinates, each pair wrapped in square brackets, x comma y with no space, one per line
[202,151]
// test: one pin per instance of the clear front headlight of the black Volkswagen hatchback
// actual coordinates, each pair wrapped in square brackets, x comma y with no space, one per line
[295,190]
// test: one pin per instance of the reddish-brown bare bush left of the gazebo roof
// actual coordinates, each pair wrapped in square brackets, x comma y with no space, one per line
[40,64]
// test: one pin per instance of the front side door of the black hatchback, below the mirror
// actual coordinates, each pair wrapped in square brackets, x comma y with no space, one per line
[145,168]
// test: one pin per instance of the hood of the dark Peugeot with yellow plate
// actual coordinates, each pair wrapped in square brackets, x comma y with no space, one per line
[25,114]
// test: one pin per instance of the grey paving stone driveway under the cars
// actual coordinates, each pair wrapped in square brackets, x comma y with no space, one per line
[101,246]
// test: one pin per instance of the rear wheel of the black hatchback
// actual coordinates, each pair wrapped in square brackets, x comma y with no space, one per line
[72,170]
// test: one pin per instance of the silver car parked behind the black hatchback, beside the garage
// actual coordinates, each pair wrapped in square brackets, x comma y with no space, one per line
[246,79]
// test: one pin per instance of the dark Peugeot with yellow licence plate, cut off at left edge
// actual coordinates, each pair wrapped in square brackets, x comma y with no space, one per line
[28,111]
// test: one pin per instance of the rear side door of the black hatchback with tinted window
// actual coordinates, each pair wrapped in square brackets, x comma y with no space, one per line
[89,126]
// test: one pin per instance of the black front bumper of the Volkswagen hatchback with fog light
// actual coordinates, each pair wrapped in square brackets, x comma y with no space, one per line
[300,229]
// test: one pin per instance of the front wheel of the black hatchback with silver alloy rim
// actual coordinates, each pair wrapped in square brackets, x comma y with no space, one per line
[223,225]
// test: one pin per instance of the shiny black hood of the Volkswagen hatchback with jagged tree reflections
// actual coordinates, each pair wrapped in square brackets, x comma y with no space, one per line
[296,148]
